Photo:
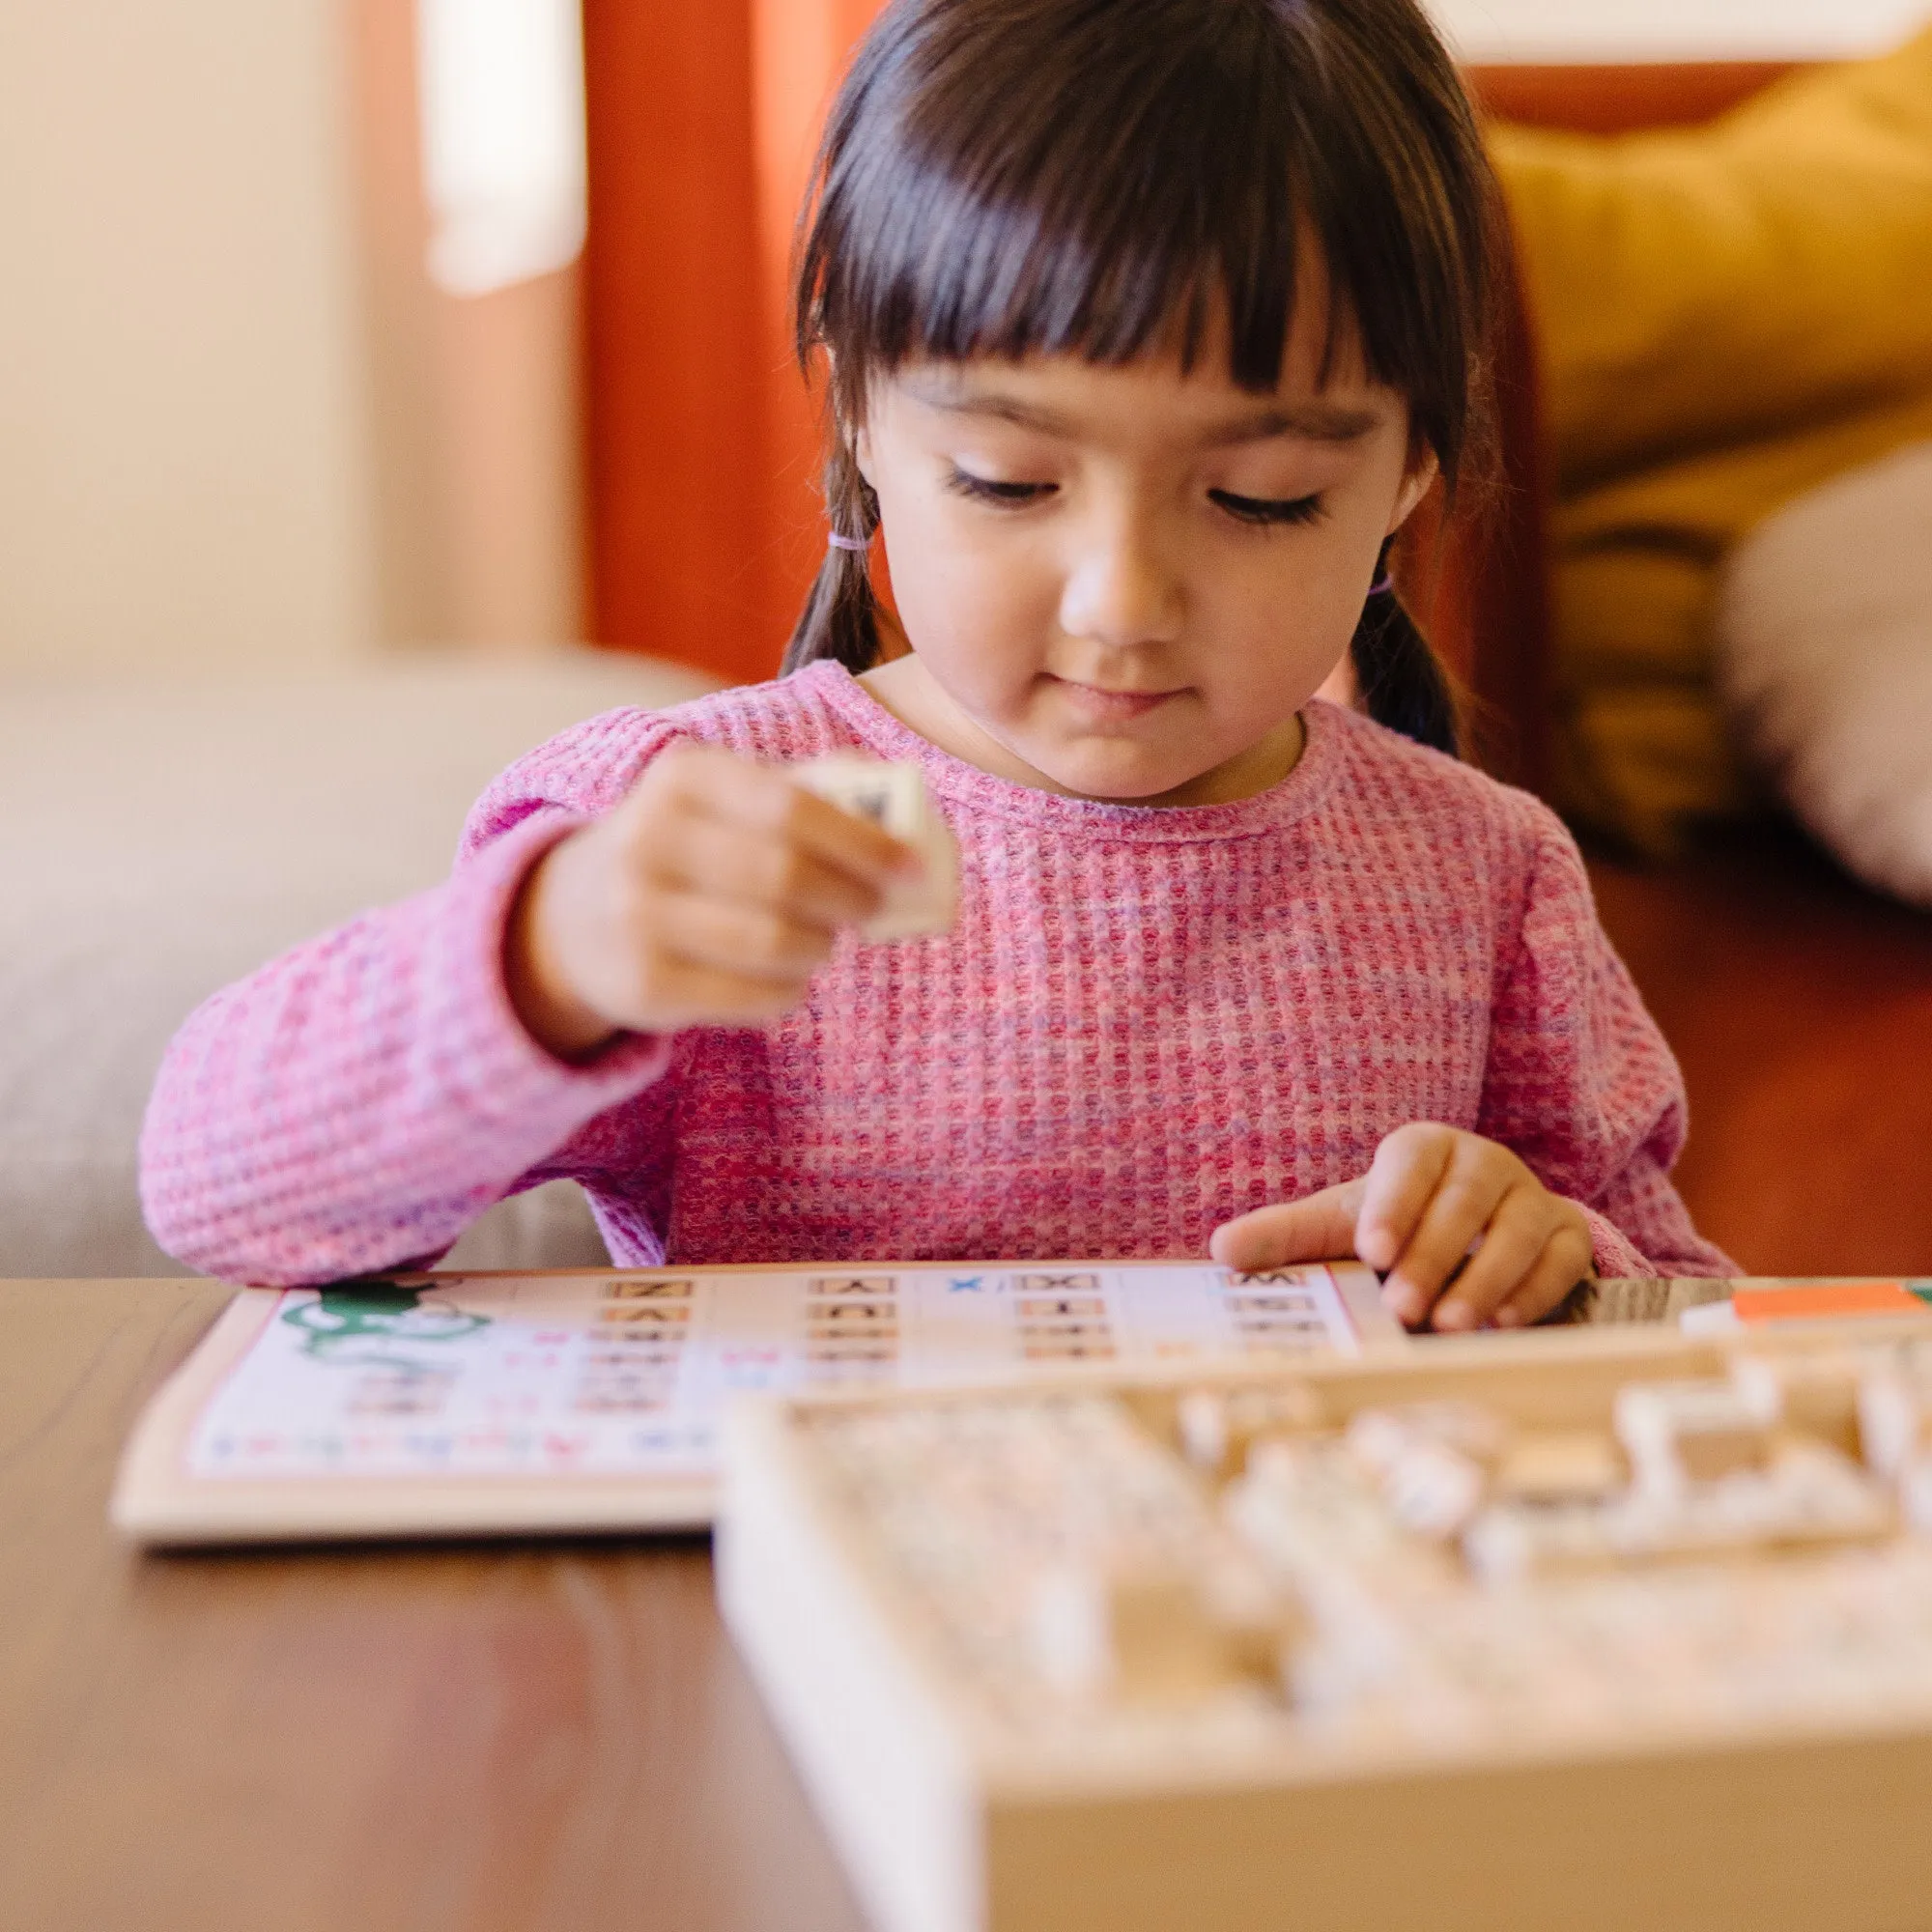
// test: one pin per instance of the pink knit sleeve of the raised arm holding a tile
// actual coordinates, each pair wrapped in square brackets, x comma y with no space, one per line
[358,1102]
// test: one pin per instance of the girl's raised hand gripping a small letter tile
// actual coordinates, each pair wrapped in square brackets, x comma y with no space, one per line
[708,899]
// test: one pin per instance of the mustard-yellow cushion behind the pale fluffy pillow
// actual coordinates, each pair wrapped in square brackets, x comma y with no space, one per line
[1726,318]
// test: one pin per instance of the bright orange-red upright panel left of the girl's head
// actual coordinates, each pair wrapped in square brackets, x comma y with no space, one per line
[702,440]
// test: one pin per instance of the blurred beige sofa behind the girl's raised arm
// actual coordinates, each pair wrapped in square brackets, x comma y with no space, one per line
[163,838]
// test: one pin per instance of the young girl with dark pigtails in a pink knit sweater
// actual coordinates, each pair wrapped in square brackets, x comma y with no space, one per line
[1149,324]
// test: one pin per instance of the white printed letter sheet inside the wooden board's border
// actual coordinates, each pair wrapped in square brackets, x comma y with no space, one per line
[627,1375]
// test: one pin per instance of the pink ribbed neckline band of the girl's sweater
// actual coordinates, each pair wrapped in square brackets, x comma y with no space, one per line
[982,793]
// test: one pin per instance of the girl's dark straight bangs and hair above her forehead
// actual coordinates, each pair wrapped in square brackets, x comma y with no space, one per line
[1042,192]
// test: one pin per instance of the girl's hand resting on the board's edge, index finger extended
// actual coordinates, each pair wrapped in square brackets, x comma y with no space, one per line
[1463,1232]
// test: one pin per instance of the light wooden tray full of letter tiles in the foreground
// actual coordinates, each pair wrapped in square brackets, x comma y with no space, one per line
[1691,1734]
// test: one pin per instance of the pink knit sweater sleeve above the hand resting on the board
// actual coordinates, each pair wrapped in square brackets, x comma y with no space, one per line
[1581,1083]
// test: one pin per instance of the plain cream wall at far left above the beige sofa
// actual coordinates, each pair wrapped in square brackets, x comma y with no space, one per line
[183,432]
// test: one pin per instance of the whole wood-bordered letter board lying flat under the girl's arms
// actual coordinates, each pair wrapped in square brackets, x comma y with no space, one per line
[552,1404]
